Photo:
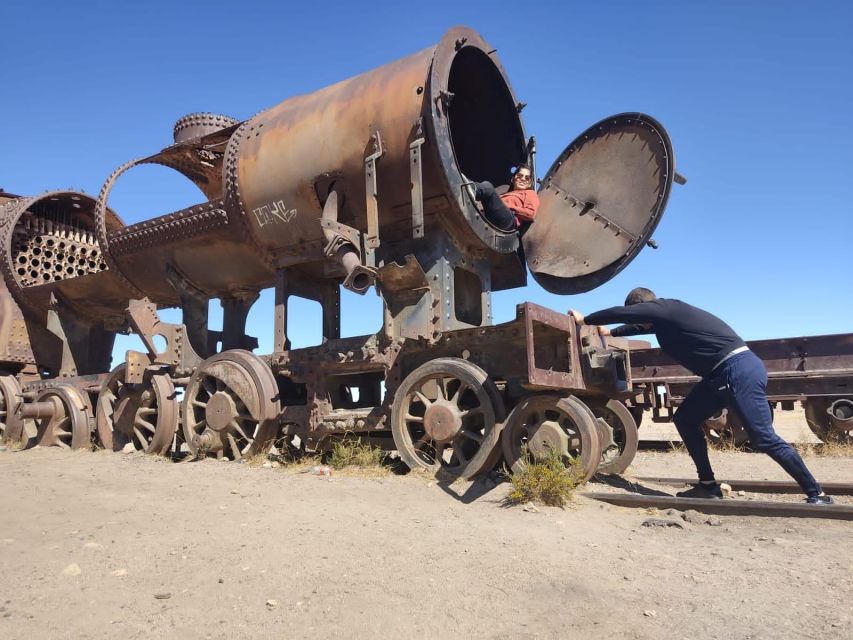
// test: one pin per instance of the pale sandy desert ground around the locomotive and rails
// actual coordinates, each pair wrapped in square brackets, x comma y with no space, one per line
[105,545]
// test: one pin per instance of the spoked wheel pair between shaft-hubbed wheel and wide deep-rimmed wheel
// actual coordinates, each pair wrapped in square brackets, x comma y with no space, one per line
[143,415]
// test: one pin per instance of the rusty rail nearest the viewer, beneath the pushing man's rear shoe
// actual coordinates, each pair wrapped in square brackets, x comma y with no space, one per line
[728,507]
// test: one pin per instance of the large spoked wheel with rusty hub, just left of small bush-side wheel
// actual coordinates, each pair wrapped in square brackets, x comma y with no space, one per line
[447,416]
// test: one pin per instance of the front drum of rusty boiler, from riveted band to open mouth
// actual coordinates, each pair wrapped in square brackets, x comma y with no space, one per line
[454,95]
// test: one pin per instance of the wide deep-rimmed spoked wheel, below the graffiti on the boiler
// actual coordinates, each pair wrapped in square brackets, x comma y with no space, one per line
[231,406]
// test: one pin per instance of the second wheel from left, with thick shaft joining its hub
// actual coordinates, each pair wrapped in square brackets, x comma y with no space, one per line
[70,425]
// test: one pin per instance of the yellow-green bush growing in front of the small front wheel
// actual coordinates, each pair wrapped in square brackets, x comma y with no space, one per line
[548,481]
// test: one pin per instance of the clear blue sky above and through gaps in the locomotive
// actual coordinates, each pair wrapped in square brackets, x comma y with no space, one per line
[756,97]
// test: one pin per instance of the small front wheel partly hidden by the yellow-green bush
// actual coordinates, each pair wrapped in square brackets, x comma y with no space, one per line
[543,422]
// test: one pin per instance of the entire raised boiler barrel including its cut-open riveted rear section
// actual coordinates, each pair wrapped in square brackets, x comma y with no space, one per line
[449,109]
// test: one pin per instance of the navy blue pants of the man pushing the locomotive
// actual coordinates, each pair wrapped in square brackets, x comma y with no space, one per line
[740,385]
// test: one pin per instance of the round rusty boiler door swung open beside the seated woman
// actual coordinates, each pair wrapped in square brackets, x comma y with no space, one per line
[600,202]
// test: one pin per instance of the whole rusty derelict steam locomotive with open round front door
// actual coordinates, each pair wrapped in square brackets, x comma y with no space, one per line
[358,185]
